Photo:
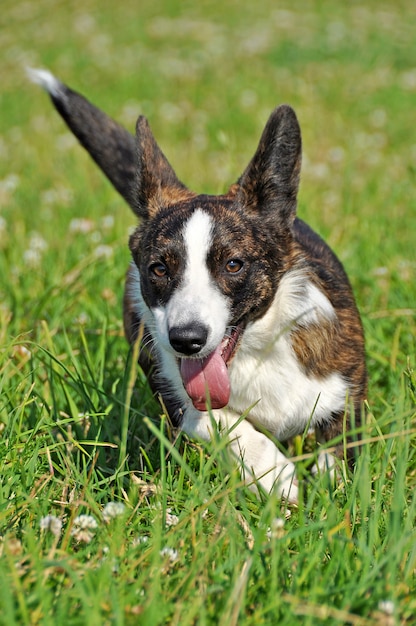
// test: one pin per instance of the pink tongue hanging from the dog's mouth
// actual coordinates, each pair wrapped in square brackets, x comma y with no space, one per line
[206,381]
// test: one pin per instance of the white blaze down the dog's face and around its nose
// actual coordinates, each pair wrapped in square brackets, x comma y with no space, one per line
[197,298]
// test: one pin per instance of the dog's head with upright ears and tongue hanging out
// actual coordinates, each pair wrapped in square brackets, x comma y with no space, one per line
[209,265]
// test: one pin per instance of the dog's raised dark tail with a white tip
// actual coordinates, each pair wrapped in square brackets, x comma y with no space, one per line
[111,146]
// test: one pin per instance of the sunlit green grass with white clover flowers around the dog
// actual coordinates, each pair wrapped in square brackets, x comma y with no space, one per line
[188,544]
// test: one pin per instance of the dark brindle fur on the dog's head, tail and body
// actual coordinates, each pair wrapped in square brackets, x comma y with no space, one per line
[261,207]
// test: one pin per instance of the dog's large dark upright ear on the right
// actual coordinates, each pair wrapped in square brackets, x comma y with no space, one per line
[270,183]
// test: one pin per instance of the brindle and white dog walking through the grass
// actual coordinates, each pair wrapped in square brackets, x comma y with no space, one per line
[247,318]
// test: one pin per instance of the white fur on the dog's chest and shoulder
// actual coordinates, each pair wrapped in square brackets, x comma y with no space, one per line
[266,373]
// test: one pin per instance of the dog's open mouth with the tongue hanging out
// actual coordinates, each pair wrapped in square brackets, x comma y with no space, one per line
[206,380]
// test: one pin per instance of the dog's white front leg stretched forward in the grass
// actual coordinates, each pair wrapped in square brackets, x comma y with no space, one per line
[262,464]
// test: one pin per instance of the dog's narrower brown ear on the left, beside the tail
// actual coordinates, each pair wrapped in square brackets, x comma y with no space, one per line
[156,185]
